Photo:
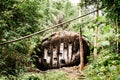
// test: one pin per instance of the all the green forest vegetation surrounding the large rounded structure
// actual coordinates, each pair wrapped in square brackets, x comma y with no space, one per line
[19,18]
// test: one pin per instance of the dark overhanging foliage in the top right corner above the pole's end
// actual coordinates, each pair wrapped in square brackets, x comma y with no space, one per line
[112,8]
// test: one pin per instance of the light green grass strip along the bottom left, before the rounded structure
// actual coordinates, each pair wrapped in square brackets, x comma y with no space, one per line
[50,75]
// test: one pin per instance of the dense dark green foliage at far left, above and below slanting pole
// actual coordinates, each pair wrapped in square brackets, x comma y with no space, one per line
[17,18]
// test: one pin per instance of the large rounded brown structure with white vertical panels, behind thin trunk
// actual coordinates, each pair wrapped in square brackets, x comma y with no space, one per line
[61,49]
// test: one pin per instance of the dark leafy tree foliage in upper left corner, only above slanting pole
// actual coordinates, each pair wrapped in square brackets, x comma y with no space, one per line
[18,17]
